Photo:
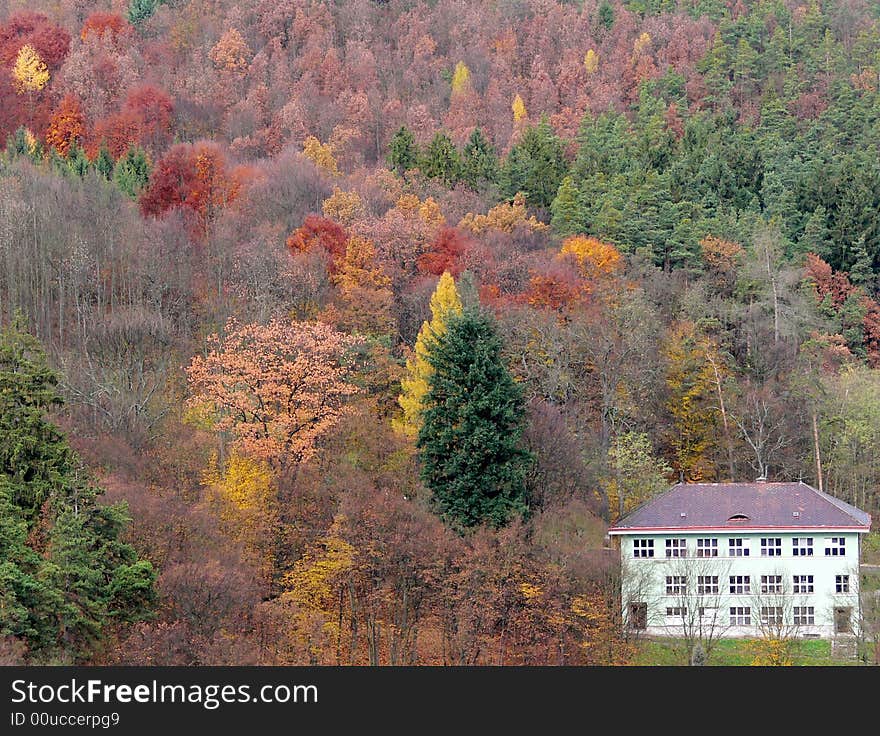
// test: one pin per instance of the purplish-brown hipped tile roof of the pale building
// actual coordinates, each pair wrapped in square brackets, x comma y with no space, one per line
[711,505]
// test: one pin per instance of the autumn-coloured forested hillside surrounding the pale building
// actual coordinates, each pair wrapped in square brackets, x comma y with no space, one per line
[338,332]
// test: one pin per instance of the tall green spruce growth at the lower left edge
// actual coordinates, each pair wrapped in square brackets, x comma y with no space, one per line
[65,574]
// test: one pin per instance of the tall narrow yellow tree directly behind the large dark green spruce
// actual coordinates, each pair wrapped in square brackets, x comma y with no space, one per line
[414,386]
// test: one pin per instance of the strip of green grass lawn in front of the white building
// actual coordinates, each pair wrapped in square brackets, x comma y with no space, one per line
[735,652]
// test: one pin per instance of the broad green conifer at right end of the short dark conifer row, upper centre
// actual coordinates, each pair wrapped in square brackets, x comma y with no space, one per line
[535,166]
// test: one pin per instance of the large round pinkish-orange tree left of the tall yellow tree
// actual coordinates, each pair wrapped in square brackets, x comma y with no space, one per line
[276,388]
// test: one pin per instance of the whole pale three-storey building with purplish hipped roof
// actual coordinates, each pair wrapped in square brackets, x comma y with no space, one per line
[712,560]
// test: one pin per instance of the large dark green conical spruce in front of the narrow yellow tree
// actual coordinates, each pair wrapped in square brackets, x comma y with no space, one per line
[472,424]
